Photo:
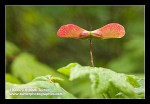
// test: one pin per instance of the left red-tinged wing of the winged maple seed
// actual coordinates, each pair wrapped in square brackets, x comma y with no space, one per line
[72,31]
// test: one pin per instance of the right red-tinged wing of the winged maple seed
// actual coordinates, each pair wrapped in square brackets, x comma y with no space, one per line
[112,30]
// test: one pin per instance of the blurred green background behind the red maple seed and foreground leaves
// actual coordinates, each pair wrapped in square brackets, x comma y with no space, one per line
[33,47]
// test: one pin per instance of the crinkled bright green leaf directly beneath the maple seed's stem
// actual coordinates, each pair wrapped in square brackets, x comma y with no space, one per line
[105,83]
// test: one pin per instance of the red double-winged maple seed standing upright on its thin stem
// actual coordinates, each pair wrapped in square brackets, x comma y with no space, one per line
[112,30]
